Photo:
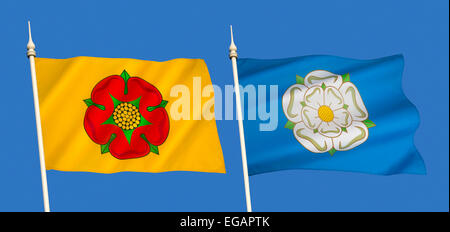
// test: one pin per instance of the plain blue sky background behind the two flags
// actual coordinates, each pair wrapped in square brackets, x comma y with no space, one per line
[263,29]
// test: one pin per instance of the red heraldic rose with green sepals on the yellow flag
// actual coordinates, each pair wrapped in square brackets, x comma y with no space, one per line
[126,116]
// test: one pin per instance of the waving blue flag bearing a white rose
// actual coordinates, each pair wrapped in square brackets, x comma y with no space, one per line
[328,113]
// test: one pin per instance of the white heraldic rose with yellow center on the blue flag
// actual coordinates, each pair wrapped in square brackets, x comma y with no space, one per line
[327,111]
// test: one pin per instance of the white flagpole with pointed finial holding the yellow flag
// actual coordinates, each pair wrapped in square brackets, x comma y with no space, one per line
[31,53]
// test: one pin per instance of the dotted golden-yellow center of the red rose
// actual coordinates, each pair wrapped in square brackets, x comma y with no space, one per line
[126,116]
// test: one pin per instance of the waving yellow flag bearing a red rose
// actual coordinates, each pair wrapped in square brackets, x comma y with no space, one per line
[111,115]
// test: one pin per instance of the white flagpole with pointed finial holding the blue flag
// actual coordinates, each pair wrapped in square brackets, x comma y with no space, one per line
[233,57]
